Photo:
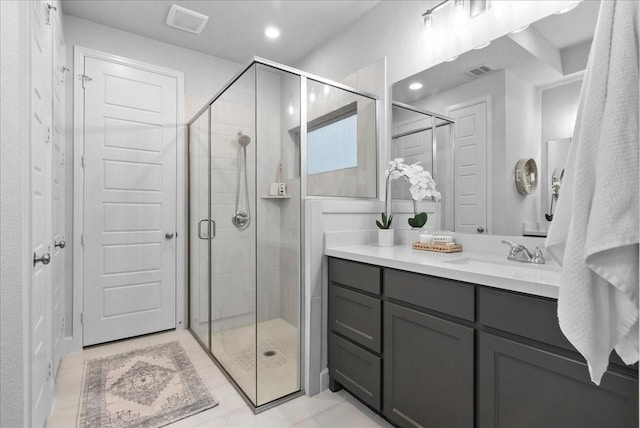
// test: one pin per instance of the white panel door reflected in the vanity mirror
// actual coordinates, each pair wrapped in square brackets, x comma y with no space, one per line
[471,168]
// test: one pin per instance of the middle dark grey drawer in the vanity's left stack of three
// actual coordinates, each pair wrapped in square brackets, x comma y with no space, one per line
[356,316]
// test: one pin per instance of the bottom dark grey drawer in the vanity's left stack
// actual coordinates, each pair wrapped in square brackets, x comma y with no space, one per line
[357,370]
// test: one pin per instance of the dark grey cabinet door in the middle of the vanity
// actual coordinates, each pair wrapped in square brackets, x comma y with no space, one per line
[428,370]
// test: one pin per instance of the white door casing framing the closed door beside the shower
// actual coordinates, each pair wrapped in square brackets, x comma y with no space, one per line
[79,55]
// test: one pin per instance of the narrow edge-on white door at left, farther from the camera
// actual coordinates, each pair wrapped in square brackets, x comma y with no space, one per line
[58,254]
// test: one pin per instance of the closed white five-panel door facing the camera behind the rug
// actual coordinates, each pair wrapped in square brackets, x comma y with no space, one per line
[130,202]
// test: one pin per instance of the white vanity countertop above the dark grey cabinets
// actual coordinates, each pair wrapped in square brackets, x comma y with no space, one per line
[468,266]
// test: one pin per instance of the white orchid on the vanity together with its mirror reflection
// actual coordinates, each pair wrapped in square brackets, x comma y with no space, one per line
[422,186]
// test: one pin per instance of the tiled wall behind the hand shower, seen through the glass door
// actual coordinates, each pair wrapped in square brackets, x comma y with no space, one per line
[233,255]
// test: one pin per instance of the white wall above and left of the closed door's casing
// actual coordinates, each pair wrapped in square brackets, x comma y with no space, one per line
[204,76]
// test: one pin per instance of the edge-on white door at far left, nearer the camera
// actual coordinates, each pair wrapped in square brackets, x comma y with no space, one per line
[40,122]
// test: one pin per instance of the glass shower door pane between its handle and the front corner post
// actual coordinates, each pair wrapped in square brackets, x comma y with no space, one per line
[233,249]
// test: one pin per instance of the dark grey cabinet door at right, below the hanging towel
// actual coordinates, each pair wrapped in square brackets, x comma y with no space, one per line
[522,386]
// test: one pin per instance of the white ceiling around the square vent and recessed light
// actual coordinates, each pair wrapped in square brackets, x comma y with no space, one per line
[235,30]
